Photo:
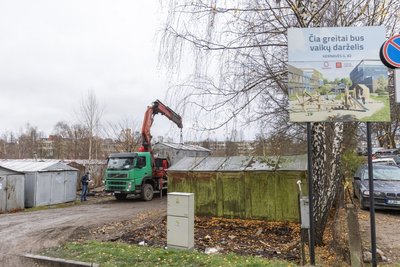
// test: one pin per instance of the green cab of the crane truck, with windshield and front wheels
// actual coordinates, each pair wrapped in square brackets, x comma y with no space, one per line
[132,173]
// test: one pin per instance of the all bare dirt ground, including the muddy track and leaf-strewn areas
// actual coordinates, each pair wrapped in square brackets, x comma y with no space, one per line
[135,221]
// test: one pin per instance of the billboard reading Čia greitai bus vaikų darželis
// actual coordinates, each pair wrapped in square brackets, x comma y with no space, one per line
[335,74]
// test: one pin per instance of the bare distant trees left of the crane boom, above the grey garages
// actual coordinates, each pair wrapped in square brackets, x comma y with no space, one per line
[65,142]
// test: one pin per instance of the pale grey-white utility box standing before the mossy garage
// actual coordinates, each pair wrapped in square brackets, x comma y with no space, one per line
[180,220]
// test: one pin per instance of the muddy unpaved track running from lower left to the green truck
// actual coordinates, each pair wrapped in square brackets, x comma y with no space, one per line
[29,232]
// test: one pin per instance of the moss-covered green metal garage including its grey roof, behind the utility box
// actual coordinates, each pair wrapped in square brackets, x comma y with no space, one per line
[242,187]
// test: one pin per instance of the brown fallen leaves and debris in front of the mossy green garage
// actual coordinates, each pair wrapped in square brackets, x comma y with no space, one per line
[221,235]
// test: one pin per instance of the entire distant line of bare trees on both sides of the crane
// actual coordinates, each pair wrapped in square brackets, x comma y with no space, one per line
[72,141]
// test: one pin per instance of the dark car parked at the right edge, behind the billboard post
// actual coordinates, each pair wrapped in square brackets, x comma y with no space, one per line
[386,186]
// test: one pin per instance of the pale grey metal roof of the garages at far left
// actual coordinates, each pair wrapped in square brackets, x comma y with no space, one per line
[35,166]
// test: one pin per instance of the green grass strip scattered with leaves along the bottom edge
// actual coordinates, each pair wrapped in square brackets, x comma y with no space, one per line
[120,254]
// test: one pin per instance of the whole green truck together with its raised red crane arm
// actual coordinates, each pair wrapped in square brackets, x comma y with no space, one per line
[140,173]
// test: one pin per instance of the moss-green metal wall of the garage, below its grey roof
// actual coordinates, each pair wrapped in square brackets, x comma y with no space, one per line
[270,195]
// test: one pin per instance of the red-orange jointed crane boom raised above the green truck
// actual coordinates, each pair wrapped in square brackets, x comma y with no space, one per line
[156,108]
